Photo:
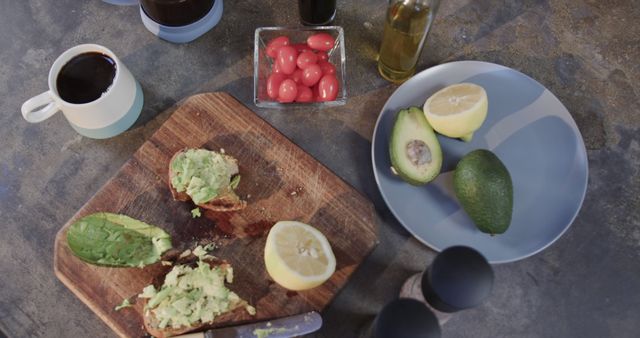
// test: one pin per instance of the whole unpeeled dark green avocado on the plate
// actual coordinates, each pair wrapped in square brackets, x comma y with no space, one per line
[484,188]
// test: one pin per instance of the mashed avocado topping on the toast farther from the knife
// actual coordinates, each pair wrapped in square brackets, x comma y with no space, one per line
[202,174]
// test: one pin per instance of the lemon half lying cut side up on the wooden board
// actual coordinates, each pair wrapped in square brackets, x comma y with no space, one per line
[298,256]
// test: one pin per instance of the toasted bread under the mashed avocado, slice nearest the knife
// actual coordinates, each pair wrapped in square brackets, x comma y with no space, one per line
[151,322]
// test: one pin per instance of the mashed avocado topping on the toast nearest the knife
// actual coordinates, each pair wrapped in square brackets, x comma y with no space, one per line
[192,296]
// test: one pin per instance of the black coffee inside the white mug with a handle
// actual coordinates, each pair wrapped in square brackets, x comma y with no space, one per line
[85,77]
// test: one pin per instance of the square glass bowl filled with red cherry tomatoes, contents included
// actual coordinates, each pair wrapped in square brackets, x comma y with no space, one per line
[299,67]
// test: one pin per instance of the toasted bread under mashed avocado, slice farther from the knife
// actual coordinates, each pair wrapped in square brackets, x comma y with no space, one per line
[227,199]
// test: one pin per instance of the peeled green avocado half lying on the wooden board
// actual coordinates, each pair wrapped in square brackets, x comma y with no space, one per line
[117,240]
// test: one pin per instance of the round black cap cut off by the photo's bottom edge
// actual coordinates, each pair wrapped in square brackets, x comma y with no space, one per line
[407,318]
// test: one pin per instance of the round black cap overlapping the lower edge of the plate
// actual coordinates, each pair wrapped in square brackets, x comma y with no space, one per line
[459,278]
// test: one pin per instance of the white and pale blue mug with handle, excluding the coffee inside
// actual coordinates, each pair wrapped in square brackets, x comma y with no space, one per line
[109,115]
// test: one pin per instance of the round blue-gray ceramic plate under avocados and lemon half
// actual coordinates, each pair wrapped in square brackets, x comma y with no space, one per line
[530,131]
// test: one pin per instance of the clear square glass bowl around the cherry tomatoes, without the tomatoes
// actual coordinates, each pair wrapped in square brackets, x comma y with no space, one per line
[262,63]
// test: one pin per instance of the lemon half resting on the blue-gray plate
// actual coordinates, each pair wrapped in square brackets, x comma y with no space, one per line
[457,110]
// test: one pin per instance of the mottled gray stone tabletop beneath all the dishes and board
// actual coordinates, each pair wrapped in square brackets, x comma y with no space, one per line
[586,285]
